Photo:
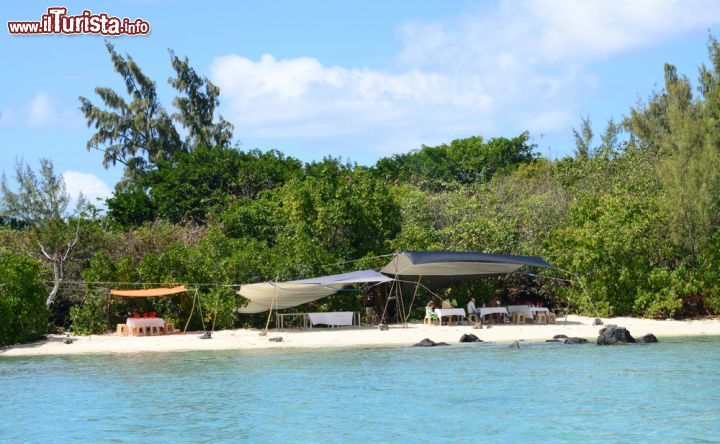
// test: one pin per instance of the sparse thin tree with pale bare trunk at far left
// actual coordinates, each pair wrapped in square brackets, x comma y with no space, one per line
[42,202]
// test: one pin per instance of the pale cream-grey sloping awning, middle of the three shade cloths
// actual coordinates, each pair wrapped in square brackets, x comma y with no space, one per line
[279,295]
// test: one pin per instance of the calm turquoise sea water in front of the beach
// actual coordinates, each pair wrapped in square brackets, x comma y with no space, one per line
[666,392]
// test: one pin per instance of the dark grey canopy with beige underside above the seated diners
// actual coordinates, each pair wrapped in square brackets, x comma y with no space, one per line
[456,265]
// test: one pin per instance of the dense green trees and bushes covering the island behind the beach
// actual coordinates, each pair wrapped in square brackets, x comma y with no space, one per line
[635,215]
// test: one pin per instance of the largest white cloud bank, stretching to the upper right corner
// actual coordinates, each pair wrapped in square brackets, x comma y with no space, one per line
[498,68]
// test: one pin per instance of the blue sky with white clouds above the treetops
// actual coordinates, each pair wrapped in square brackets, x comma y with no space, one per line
[359,80]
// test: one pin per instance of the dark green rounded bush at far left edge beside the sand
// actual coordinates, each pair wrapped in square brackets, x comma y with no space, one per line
[23,314]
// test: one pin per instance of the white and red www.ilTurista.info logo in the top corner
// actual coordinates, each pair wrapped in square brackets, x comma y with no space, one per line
[57,21]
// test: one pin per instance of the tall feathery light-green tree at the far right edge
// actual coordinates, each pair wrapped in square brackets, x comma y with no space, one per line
[678,128]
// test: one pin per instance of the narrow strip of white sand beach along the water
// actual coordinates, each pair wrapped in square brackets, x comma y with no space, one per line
[250,339]
